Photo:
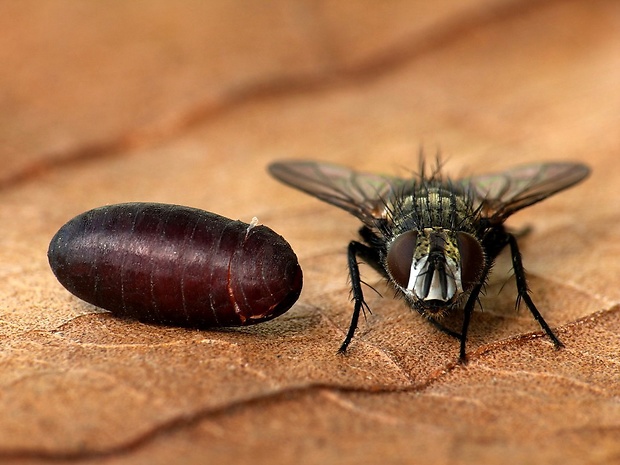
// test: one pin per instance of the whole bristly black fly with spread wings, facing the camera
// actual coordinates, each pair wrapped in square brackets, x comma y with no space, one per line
[434,239]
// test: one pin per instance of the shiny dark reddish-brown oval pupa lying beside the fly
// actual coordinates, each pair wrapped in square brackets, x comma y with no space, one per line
[176,265]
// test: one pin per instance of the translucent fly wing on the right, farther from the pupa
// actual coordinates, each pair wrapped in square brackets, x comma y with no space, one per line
[502,194]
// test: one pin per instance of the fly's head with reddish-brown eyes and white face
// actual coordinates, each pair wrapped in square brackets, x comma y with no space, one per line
[435,266]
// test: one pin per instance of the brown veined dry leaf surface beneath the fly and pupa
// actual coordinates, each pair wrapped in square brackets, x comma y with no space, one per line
[105,102]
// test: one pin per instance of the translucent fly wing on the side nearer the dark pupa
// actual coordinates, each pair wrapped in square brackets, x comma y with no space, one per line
[361,194]
